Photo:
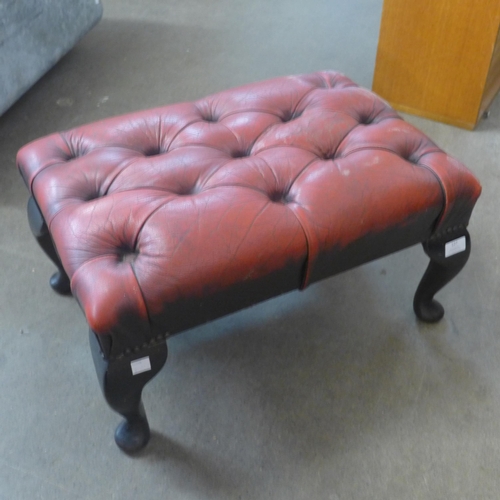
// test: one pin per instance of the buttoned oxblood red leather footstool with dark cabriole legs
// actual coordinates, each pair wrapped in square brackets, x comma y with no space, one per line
[164,219]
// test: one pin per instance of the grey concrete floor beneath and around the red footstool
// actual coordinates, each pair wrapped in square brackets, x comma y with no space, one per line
[334,393]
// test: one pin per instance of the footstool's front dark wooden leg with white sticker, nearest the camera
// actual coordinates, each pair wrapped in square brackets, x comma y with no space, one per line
[122,379]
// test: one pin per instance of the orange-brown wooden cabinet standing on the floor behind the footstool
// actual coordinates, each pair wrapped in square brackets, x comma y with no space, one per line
[439,58]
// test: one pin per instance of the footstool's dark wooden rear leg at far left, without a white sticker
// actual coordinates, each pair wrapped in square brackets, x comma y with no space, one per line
[59,280]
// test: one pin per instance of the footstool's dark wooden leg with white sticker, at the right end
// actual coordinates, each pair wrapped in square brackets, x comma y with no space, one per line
[448,257]
